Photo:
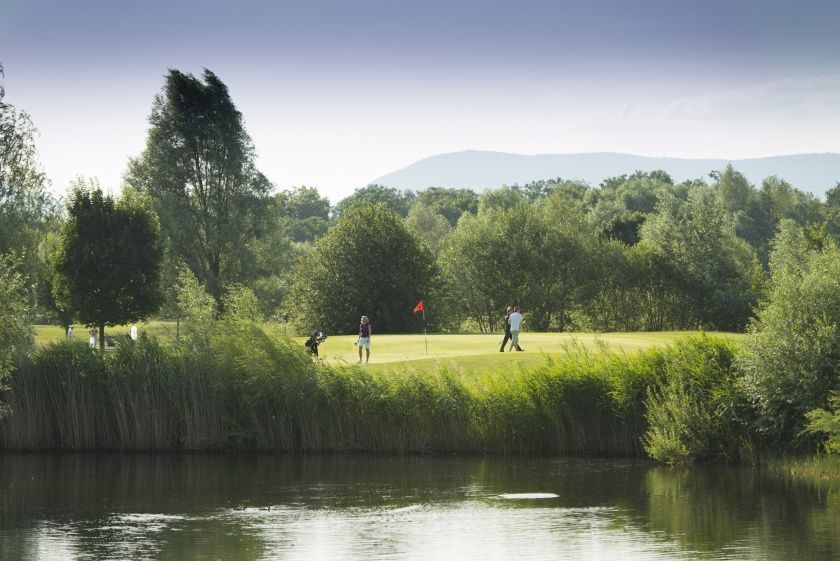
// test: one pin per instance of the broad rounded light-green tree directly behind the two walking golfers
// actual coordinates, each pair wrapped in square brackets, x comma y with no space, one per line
[533,255]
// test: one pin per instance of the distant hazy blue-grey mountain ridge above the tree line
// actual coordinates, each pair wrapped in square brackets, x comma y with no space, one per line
[480,170]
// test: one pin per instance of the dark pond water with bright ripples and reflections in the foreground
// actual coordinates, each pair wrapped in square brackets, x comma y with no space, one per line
[249,507]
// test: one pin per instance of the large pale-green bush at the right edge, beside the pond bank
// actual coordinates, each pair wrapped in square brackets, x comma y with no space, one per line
[789,364]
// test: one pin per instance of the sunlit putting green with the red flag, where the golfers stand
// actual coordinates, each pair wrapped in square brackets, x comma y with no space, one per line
[480,353]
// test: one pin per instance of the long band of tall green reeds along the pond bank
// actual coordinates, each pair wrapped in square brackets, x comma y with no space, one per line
[249,389]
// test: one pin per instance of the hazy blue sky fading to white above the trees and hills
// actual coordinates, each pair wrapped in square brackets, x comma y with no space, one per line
[335,94]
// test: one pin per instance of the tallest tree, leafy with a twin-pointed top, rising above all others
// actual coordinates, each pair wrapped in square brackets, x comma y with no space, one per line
[198,167]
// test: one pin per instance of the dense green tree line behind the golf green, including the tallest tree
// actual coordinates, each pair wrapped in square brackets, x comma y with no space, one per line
[638,252]
